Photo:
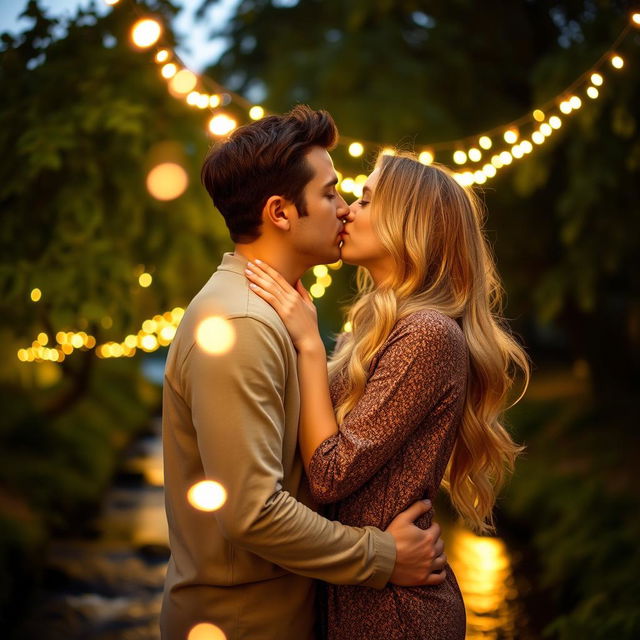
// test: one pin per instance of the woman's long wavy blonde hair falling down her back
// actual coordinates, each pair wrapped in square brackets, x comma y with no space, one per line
[432,228]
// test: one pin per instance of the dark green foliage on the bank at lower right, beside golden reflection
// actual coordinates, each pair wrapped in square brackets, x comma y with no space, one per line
[573,489]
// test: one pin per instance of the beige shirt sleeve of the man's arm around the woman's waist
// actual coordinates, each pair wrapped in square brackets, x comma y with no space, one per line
[238,413]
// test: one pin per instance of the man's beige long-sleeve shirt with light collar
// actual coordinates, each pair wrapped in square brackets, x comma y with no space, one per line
[232,417]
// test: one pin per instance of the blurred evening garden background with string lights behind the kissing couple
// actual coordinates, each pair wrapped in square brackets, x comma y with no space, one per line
[106,234]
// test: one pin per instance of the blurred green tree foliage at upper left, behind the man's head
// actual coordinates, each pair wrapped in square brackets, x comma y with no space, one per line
[85,116]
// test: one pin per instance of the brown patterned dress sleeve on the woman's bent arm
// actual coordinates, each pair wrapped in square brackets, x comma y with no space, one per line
[415,370]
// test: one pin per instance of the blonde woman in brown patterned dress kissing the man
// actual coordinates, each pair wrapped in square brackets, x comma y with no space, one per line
[414,392]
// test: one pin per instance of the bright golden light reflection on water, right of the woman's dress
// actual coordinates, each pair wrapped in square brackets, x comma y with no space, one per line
[482,567]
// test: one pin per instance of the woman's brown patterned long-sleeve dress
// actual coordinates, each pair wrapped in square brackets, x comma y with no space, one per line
[392,449]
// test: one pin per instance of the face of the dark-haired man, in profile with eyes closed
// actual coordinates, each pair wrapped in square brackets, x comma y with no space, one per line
[315,237]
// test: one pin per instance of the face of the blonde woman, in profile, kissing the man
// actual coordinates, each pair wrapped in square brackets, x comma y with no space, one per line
[360,244]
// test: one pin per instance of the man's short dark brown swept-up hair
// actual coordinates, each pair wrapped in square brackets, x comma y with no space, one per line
[263,159]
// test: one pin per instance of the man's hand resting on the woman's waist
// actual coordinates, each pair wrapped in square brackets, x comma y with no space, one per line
[419,552]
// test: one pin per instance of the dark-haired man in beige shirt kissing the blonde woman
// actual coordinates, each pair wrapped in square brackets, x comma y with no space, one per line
[231,415]
